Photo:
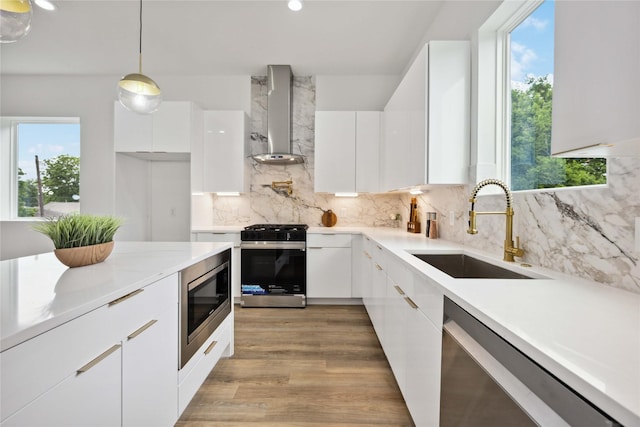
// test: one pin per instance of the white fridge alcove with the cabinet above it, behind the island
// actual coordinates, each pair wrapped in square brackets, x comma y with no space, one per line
[153,170]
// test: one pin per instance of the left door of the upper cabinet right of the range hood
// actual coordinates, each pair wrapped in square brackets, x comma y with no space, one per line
[335,151]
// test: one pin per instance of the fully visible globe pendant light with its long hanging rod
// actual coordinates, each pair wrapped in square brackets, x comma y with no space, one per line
[136,91]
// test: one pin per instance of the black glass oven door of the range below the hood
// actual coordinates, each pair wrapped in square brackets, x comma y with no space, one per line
[273,270]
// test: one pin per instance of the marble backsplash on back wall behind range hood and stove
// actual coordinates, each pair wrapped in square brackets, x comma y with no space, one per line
[263,204]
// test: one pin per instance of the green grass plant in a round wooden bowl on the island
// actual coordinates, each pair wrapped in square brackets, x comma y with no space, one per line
[81,239]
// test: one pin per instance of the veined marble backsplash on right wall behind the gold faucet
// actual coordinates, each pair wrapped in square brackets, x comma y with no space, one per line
[587,232]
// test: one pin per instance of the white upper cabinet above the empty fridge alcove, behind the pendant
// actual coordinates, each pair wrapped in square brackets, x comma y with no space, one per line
[172,129]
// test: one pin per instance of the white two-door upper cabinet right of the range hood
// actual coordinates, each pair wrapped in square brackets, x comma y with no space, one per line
[346,151]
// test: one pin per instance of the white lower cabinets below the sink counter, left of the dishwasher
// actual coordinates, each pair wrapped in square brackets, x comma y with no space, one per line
[406,312]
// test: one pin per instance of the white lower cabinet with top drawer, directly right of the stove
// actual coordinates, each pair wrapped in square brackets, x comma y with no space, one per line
[329,266]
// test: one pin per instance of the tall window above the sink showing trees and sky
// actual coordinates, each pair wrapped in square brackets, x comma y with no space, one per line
[529,47]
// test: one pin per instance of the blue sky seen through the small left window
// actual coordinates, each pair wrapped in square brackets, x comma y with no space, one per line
[46,140]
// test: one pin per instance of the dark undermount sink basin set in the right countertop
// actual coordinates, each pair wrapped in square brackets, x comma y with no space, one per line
[461,266]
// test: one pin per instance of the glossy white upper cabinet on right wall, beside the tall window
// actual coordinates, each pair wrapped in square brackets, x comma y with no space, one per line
[427,120]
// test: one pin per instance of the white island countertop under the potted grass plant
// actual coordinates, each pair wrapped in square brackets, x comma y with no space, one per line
[38,293]
